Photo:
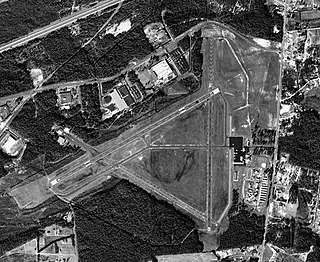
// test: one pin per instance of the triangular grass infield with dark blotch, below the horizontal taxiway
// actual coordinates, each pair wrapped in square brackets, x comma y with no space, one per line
[181,172]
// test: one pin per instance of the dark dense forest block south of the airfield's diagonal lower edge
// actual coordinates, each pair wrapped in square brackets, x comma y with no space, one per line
[125,223]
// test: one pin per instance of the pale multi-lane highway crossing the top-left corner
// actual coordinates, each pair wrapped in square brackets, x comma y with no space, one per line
[59,24]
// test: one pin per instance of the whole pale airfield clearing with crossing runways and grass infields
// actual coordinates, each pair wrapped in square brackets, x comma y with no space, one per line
[182,154]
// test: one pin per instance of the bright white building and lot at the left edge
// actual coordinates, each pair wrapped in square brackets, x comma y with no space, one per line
[11,143]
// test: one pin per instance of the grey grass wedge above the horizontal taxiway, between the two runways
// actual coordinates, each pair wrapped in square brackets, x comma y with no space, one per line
[189,128]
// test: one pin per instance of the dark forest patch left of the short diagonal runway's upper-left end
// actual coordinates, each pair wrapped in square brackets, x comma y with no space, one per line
[34,123]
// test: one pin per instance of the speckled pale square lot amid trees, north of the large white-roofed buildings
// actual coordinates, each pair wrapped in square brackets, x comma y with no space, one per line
[156,34]
